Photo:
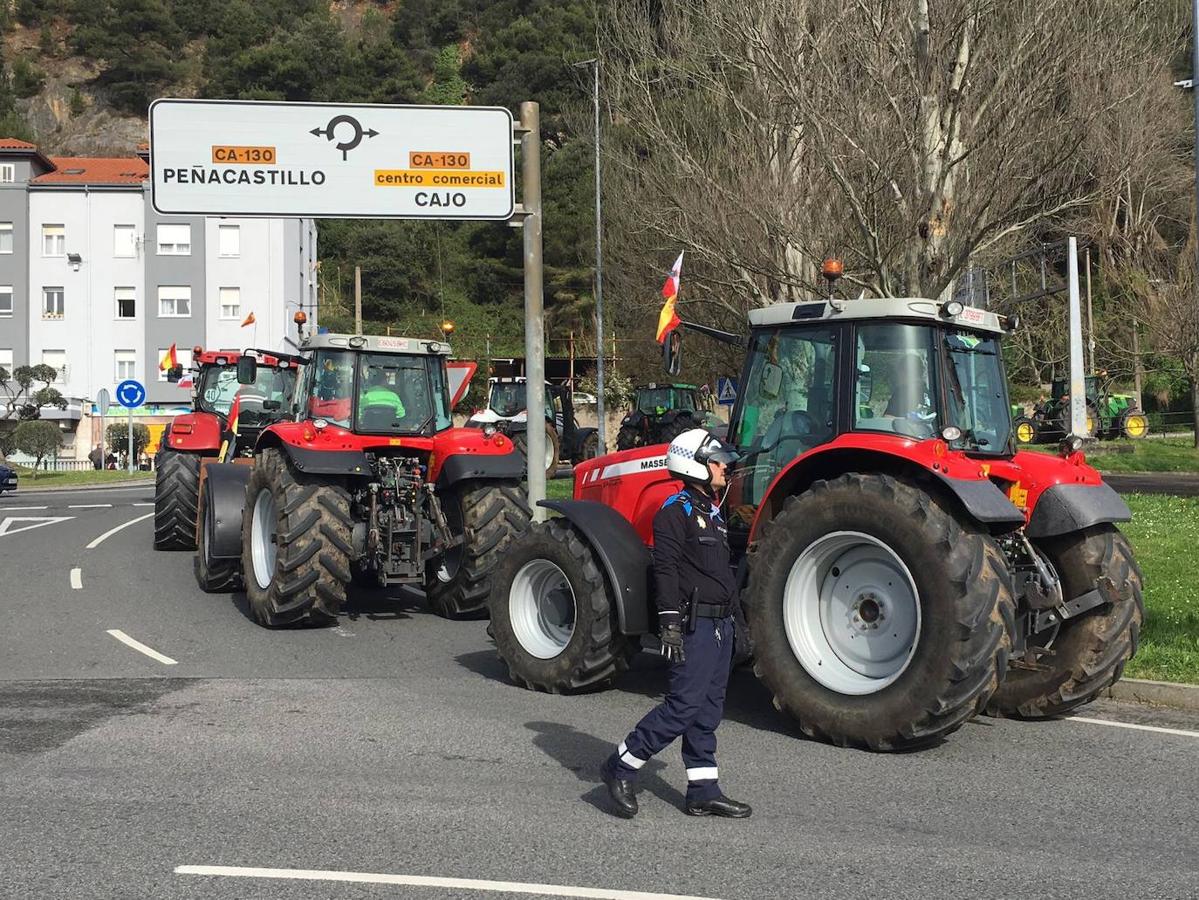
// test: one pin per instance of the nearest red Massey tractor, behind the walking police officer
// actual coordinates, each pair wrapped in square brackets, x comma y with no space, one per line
[903,567]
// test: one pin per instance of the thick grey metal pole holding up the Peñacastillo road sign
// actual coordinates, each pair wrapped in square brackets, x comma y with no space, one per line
[535,325]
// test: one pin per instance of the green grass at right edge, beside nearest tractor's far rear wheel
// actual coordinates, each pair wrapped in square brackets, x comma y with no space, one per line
[1165,533]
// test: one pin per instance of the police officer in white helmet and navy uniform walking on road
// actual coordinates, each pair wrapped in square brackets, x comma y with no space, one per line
[696,593]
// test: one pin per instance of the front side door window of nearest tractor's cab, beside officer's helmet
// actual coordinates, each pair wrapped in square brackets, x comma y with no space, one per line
[788,406]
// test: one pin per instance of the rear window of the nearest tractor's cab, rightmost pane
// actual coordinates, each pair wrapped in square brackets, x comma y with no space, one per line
[977,392]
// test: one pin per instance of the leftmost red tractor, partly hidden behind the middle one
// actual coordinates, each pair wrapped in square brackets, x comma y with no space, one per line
[198,436]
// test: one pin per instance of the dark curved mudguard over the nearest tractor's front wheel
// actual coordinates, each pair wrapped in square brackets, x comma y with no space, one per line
[626,560]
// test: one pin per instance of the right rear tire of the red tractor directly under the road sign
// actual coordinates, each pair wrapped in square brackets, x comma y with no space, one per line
[489,516]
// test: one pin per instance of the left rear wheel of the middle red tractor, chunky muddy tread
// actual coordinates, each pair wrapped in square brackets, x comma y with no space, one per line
[297,546]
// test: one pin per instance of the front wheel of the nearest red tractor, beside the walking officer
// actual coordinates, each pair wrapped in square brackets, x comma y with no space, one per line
[552,614]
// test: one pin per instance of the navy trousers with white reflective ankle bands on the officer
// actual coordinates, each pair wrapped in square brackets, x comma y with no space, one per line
[692,709]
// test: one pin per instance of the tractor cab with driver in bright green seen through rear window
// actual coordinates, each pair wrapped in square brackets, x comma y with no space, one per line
[376,385]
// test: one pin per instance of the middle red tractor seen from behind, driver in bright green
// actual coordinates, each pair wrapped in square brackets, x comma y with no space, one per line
[370,482]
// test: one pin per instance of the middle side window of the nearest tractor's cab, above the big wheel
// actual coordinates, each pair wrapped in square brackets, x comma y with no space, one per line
[895,380]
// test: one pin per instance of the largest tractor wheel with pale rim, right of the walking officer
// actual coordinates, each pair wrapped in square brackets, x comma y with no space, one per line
[879,618]
